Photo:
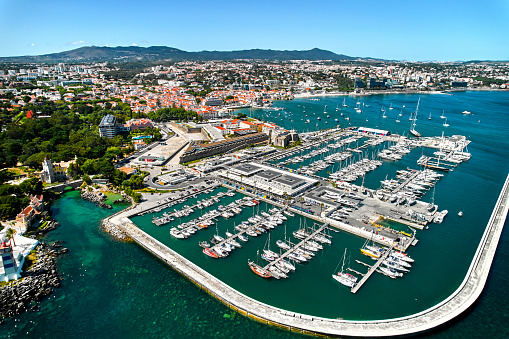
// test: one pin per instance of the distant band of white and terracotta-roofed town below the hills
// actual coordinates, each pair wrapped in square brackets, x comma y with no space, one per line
[214,88]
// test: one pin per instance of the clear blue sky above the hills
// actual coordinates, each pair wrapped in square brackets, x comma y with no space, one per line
[438,30]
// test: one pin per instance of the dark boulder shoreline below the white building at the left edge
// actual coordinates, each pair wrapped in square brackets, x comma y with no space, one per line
[38,282]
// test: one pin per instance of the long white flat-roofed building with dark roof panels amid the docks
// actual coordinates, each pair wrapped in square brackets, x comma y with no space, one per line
[269,180]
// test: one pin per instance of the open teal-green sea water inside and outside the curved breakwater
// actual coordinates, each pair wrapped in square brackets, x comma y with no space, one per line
[114,289]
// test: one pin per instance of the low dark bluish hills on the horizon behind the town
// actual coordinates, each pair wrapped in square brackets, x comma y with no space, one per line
[157,53]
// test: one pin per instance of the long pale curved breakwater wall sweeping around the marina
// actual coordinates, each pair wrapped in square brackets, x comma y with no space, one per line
[466,294]
